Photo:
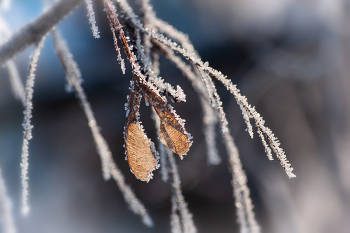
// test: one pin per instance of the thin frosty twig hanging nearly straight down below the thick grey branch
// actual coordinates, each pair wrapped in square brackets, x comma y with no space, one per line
[26,123]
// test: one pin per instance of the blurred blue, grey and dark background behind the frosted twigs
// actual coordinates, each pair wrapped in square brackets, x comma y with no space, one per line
[290,58]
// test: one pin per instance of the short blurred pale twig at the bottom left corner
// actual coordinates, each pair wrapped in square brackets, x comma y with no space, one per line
[7,221]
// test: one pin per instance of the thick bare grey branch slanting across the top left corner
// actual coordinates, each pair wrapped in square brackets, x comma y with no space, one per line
[34,31]
